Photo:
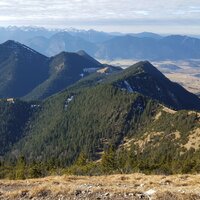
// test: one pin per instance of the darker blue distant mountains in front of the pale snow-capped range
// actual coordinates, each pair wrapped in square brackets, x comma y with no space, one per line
[144,46]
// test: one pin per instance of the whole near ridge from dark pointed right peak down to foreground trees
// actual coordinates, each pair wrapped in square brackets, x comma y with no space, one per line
[119,119]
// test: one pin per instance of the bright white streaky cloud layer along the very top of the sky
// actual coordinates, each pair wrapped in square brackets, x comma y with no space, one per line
[97,8]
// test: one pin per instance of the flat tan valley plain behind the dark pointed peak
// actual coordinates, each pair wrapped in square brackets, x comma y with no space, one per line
[184,72]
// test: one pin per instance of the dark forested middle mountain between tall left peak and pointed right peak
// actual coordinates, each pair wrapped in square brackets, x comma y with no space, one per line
[64,70]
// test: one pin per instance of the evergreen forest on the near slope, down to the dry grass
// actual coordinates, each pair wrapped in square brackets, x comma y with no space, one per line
[103,137]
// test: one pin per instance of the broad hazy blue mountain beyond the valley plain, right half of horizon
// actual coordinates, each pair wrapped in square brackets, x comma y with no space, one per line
[172,47]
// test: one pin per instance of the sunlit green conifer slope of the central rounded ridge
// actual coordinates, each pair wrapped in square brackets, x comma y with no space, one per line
[96,116]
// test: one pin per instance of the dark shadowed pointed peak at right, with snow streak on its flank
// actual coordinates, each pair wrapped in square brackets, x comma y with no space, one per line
[144,78]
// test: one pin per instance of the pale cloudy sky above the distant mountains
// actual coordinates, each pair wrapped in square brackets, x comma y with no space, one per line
[161,16]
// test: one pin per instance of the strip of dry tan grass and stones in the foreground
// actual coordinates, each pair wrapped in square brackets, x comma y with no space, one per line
[133,186]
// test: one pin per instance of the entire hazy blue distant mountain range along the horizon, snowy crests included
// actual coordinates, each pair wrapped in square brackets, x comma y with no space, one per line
[103,45]
